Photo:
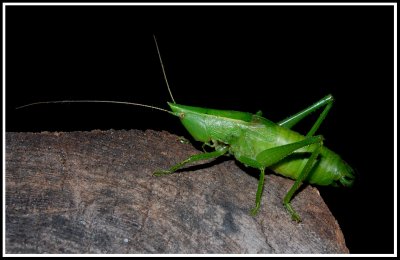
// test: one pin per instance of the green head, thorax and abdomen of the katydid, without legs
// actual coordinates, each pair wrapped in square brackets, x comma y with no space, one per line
[247,135]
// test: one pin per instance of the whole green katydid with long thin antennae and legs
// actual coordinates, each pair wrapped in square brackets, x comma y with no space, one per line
[259,143]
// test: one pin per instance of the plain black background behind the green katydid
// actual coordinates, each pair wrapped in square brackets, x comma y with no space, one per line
[270,58]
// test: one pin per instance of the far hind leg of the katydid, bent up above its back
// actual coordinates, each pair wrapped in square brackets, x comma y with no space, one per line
[293,120]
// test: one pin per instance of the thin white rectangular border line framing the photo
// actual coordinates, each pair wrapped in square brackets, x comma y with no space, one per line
[204,4]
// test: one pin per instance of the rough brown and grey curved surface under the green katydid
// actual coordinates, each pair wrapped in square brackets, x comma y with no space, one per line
[93,192]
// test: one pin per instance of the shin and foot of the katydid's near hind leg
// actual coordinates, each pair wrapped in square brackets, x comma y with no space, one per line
[303,175]
